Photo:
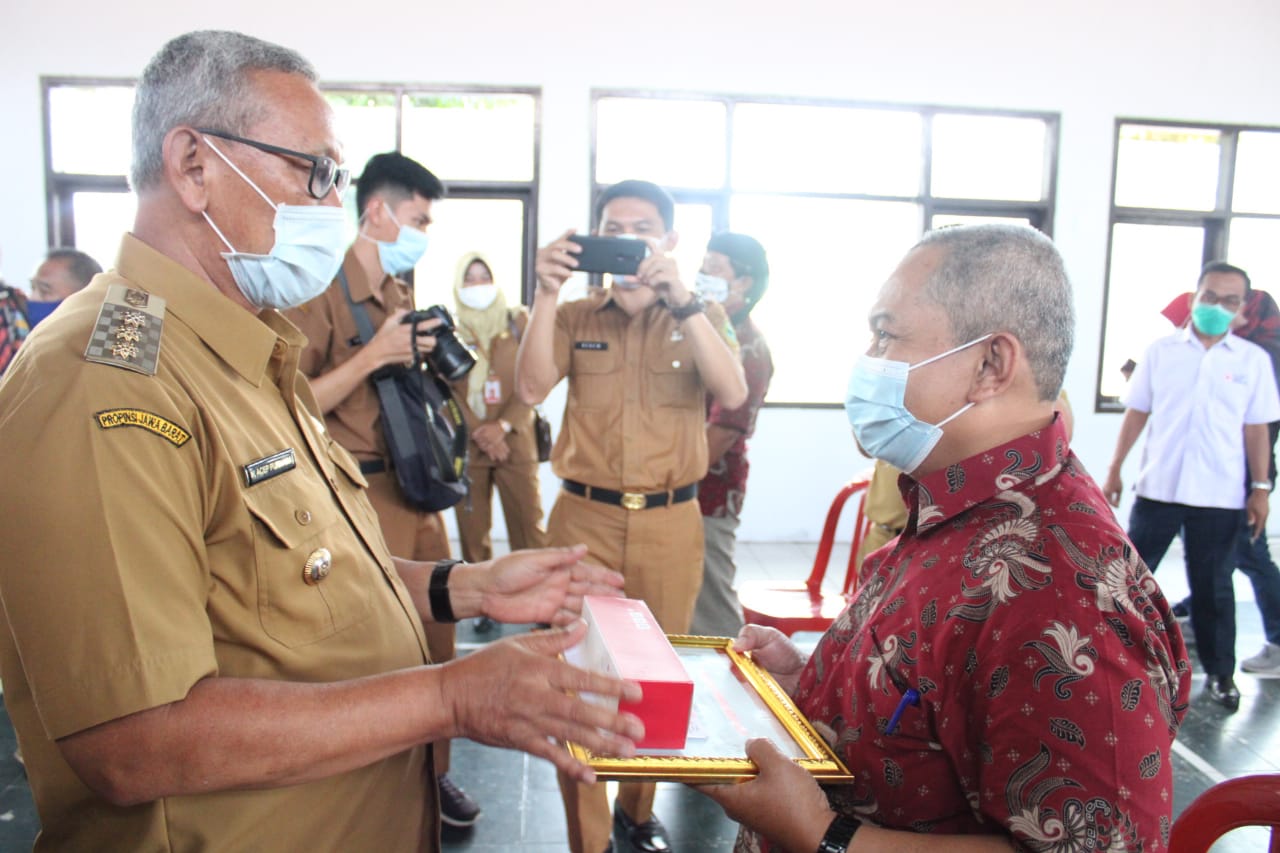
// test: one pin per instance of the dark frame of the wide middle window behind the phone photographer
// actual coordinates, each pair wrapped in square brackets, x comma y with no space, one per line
[1040,215]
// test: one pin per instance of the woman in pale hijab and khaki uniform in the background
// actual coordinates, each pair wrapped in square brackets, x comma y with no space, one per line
[504,450]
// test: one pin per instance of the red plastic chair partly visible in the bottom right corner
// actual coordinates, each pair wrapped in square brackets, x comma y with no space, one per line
[1249,801]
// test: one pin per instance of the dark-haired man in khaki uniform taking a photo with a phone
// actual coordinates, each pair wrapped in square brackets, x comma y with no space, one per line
[641,359]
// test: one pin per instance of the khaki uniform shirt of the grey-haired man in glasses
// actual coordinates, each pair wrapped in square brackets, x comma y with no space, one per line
[147,551]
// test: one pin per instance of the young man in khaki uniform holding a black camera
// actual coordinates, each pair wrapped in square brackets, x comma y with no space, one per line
[395,198]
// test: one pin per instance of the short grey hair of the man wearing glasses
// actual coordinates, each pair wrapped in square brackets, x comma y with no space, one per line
[203,80]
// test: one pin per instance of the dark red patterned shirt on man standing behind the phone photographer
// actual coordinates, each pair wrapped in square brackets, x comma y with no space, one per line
[725,485]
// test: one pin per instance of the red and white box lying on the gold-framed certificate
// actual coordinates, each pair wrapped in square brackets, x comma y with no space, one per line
[625,641]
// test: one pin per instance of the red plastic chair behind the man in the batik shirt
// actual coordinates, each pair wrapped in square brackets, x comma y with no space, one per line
[804,608]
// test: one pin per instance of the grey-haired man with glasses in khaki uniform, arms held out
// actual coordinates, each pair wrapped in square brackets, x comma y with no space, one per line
[213,647]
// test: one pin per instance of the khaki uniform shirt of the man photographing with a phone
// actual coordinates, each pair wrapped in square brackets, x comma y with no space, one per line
[637,409]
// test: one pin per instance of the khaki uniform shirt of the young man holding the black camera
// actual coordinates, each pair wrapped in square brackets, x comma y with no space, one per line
[333,340]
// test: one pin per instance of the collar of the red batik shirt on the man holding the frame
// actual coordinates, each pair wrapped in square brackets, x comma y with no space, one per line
[947,494]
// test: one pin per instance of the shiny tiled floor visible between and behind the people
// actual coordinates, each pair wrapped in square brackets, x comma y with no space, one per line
[522,802]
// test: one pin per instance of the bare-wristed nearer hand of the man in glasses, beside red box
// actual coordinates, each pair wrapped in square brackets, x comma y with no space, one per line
[516,694]
